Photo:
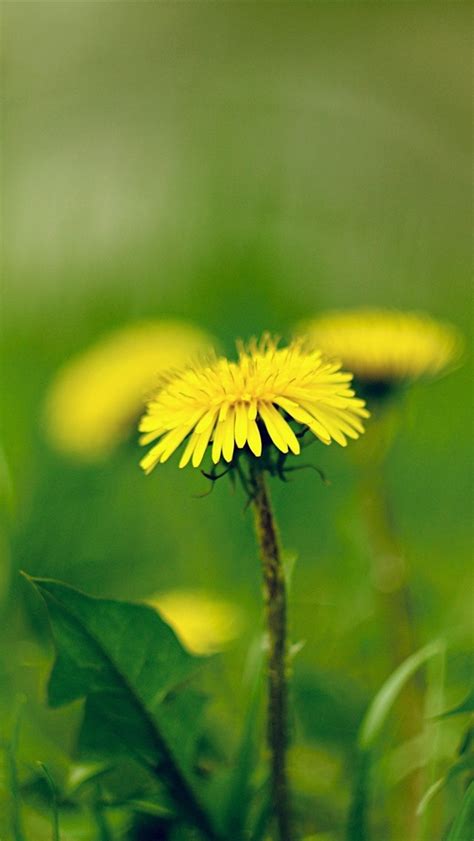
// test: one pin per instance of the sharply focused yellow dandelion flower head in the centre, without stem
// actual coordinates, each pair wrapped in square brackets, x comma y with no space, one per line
[267,397]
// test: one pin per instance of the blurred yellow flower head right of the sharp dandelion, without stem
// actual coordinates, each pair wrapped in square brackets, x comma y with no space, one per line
[385,346]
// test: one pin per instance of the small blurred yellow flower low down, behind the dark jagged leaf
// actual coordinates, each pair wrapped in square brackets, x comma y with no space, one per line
[205,624]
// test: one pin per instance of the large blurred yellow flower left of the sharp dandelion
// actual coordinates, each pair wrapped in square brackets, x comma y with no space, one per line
[97,397]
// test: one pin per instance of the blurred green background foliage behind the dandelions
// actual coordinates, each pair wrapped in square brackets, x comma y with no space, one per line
[242,166]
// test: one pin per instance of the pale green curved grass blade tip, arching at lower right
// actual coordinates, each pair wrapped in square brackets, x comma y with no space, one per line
[384,700]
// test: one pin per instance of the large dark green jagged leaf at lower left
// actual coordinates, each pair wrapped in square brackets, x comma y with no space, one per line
[127,662]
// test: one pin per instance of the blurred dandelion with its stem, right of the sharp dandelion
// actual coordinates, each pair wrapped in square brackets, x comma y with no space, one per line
[389,351]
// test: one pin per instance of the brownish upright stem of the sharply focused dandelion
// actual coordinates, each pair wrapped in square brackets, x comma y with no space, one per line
[274,589]
